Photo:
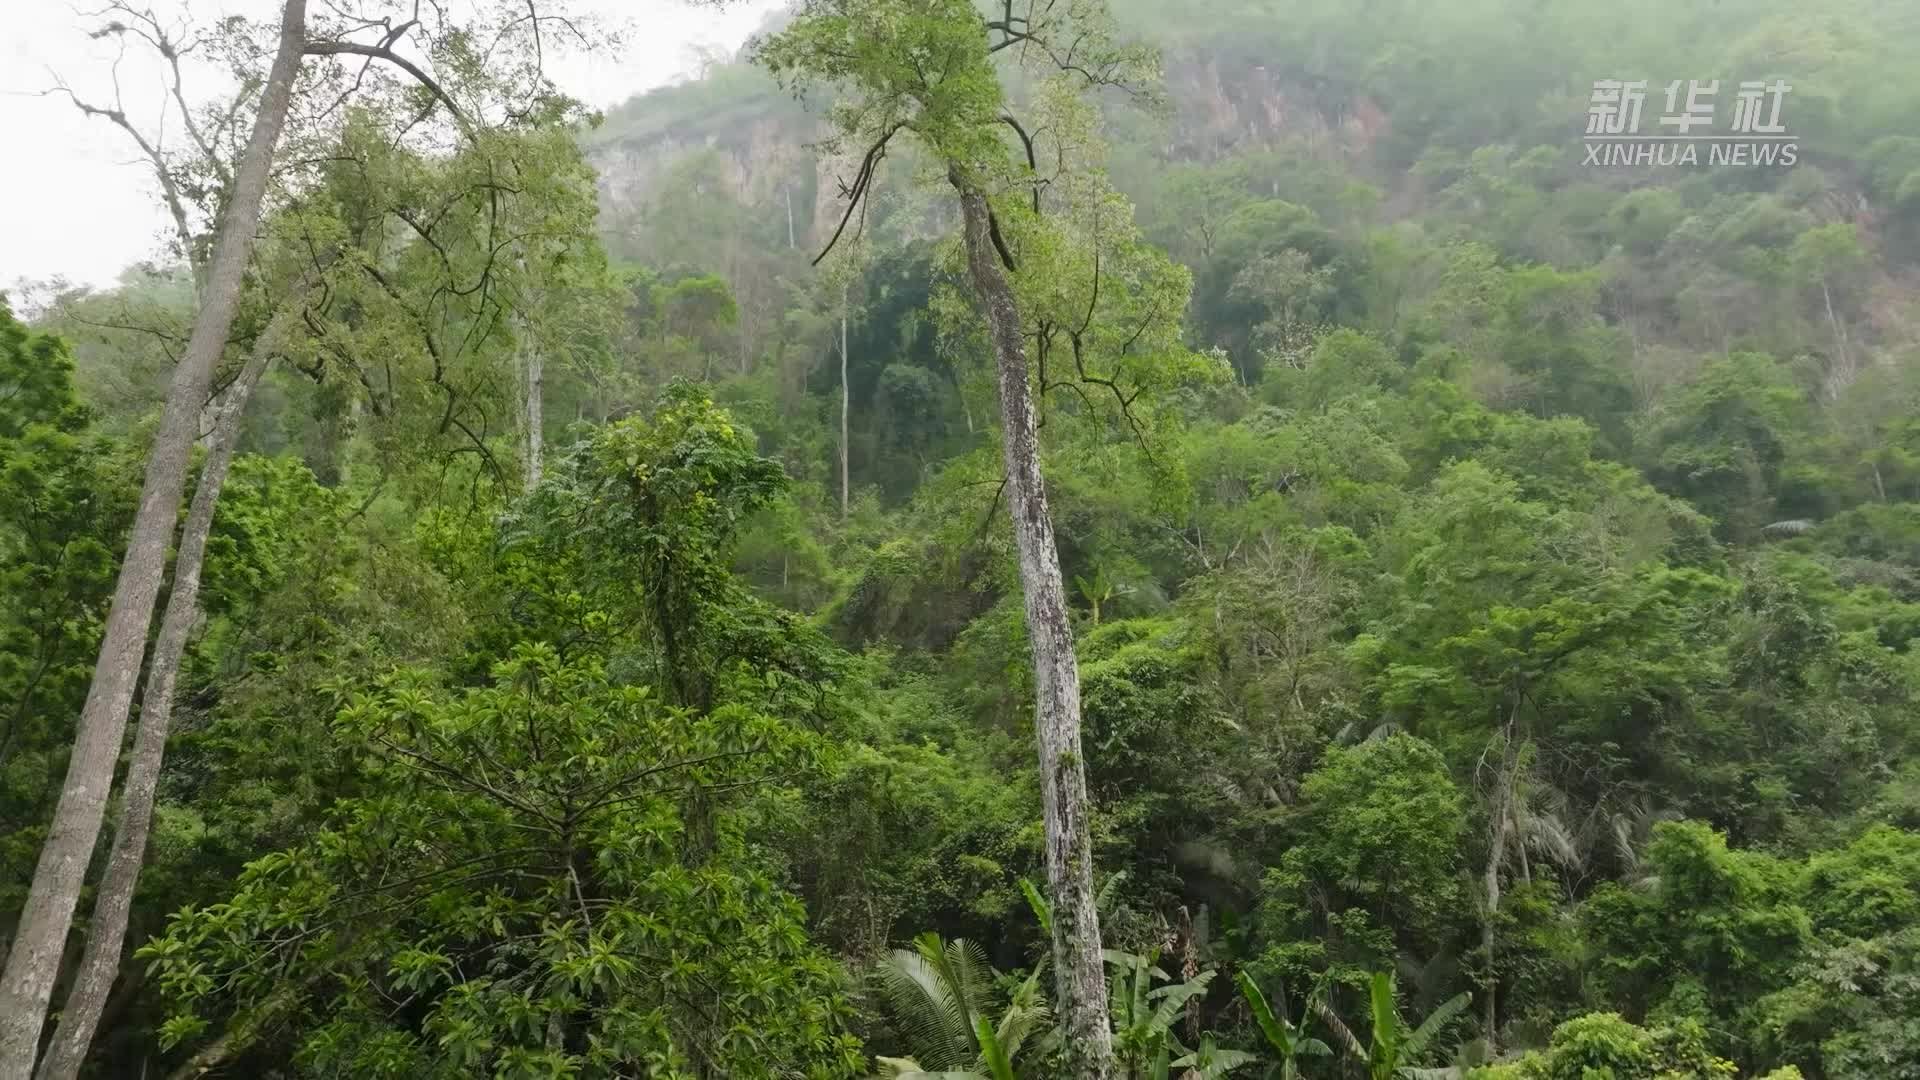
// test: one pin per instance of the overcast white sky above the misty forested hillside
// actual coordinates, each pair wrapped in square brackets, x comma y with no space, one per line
[76,201]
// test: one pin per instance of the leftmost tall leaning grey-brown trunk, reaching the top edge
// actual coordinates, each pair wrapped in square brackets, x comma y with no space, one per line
[34,962]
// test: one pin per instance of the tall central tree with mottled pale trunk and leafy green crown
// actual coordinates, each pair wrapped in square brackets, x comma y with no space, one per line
[926,68]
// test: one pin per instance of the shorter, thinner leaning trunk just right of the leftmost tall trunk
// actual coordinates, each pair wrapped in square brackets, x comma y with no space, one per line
[107,933]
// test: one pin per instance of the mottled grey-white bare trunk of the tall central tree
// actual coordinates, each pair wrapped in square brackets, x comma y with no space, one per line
[1080,973]
